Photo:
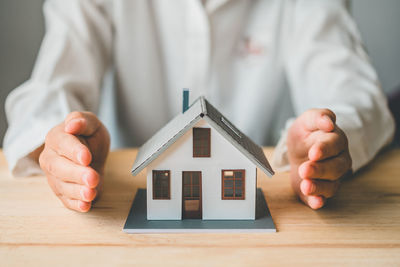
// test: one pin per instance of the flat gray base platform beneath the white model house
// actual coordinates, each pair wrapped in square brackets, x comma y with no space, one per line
[137,221]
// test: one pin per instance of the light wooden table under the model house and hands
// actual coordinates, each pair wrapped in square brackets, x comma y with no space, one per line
[359,226]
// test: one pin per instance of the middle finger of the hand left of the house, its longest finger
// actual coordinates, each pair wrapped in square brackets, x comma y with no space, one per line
[66,170]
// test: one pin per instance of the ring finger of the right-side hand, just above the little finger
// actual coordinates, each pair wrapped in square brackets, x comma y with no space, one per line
[319,188]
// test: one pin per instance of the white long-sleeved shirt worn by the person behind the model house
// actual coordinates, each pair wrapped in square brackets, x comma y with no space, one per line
[259,62]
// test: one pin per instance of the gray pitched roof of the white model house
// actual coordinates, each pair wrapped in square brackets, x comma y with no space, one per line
[200,109]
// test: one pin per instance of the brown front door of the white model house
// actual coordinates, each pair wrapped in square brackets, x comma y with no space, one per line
[191,195]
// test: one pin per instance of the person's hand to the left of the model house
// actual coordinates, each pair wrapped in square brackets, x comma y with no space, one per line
[73,159]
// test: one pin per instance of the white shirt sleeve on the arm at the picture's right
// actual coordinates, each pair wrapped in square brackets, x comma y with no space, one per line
[327,67]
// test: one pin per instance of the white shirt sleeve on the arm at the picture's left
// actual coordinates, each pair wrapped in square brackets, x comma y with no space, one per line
[73,58]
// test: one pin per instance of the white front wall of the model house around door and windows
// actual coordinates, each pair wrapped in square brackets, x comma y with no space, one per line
[179,157]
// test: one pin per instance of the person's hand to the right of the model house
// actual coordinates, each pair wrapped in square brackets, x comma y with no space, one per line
[319,156]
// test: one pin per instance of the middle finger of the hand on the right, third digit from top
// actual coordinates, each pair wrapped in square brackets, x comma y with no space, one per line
[329,169]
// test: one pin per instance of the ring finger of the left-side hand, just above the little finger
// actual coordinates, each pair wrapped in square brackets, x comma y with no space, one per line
[75,191]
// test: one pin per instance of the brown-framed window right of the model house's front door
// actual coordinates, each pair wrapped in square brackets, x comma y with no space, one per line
[233,184]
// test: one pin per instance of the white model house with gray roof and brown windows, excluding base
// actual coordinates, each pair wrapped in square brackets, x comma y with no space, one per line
[200,166]
